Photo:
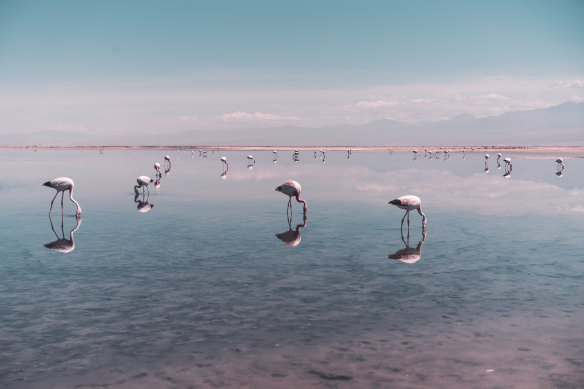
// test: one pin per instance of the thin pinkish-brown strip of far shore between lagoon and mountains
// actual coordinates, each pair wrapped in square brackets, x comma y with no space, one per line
[574,150]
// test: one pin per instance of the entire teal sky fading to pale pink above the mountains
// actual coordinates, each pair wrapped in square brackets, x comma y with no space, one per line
[146,67]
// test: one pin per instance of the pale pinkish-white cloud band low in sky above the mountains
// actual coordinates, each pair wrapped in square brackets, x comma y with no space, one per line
[175,106]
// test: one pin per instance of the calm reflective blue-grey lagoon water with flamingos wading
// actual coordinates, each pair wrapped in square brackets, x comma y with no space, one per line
[200,292]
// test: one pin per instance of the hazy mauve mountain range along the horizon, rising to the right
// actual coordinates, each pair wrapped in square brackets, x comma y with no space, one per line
[558,125]
